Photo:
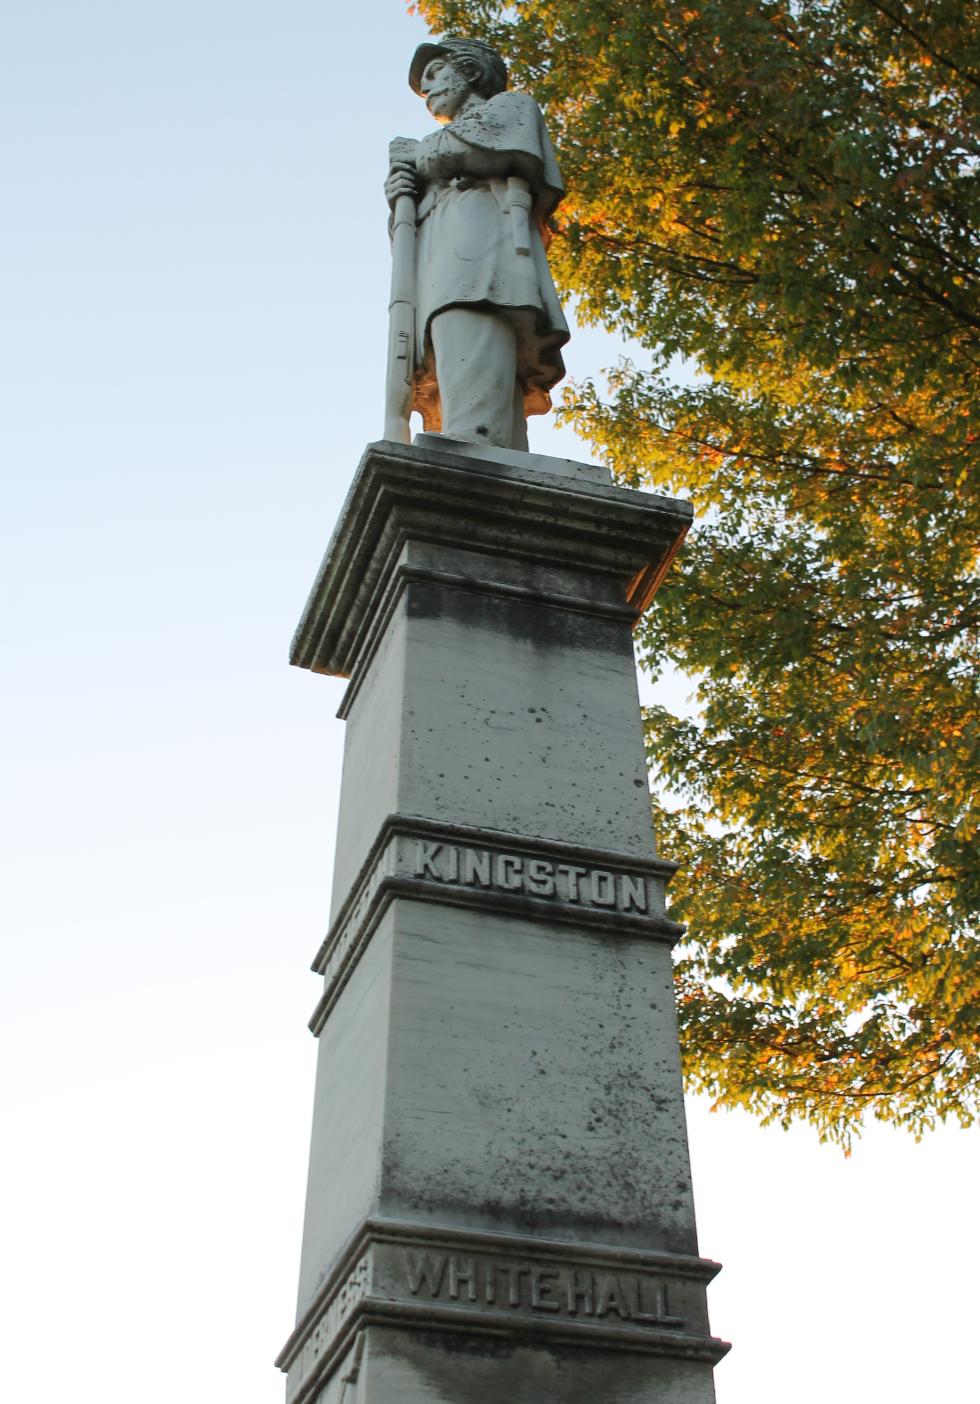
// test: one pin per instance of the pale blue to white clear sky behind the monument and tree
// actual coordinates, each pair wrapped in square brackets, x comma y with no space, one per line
[193,291]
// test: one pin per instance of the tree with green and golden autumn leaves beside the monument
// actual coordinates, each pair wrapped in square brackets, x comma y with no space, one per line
[787,194]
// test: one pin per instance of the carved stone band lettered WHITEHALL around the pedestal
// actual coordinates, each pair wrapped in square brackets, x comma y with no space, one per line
[406,1274]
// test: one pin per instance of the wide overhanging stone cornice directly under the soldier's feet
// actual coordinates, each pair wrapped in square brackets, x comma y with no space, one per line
[402,492]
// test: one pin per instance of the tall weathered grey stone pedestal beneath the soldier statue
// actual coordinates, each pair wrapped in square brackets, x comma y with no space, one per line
[499,1203]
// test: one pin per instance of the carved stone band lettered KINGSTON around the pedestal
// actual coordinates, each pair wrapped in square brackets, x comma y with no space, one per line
[613,894]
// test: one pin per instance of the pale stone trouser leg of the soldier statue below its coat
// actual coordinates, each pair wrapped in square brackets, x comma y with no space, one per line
[477,369]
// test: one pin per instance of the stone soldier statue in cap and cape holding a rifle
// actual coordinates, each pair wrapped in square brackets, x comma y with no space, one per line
[488,326]
